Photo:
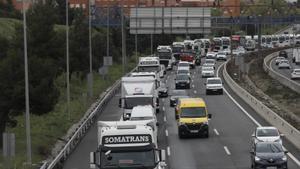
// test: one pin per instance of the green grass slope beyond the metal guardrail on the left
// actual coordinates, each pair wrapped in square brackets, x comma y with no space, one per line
[48,128]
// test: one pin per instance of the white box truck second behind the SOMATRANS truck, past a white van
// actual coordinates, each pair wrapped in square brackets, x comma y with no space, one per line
[137,91]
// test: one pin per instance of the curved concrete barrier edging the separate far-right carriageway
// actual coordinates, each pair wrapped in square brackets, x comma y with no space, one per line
[277,76]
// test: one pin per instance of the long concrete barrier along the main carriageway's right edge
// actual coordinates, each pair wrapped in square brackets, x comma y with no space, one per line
[290,132]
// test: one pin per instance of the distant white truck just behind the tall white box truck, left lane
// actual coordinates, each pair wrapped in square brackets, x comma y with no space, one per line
[149,64]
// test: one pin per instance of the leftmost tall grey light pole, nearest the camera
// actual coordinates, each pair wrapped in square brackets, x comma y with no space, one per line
[27,113]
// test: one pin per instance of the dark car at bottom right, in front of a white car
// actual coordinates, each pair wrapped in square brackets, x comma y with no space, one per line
[267,155]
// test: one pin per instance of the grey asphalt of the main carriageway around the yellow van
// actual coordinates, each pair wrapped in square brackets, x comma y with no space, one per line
[230,133]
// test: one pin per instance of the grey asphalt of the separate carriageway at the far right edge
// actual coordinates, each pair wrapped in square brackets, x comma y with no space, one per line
[285,72]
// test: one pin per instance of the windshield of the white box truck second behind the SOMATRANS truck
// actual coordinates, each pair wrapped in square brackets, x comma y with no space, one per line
[138,101]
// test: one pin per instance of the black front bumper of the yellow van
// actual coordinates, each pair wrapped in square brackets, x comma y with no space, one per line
[193,129]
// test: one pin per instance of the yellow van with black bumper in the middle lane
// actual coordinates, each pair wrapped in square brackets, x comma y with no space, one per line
[192,117]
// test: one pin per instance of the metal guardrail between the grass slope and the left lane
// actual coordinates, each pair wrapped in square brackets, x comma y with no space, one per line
[83,127]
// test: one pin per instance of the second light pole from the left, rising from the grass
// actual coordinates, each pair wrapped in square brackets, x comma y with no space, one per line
[67,60]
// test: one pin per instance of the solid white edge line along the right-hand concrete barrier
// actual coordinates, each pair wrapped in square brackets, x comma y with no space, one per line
[256,122]
